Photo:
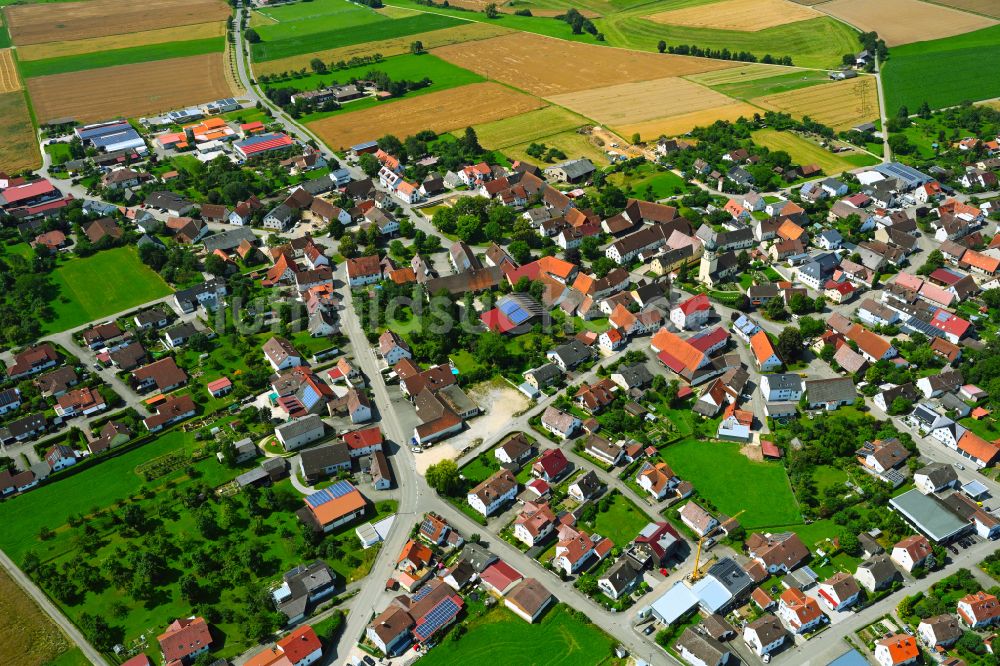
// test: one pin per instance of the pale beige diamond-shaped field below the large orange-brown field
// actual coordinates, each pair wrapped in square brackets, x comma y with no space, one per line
[630,103]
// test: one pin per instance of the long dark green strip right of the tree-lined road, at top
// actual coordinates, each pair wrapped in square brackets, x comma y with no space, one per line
[335,38]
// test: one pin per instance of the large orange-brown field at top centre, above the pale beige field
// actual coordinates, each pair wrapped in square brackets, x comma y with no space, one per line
[546,66]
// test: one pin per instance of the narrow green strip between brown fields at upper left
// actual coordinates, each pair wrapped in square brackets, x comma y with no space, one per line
[129,56]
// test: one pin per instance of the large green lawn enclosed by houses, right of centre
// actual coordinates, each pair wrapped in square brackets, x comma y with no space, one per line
[733,482]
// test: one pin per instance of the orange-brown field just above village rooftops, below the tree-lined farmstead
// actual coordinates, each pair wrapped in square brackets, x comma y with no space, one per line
[440,111]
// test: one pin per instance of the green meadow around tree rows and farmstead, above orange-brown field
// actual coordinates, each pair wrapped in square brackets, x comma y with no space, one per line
[403,67]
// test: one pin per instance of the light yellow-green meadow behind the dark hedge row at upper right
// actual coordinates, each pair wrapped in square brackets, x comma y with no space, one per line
[818,42]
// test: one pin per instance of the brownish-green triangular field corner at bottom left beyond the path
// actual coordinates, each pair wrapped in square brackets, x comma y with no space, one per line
[30,636]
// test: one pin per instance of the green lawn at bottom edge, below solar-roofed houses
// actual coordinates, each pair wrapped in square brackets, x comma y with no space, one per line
[560,638]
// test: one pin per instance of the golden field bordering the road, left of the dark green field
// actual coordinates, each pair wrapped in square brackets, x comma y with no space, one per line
[840,105]
